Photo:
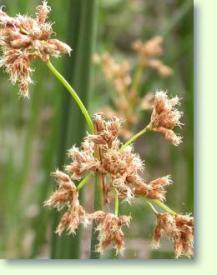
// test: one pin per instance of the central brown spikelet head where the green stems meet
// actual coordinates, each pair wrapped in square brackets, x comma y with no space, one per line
[102,152]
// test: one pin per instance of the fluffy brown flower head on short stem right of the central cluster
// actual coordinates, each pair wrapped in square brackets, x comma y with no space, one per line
[165,117]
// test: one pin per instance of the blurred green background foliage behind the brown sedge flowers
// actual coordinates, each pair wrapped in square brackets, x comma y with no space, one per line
[35,133]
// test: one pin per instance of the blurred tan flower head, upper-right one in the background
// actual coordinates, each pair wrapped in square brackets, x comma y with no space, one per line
[148,52]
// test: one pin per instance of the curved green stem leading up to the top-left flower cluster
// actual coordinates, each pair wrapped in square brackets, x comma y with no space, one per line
[73,94]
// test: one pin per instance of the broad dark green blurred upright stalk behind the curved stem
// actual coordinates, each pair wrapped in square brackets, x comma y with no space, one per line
[78,71]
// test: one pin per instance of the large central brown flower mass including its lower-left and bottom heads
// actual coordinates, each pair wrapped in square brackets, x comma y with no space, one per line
[121,170]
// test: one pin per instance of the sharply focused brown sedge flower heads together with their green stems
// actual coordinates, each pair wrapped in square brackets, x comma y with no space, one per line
[118,169]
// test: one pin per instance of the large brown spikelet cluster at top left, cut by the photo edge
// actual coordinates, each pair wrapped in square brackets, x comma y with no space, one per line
[24,39]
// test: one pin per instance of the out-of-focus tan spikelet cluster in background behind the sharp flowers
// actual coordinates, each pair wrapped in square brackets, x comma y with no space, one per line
[126,86]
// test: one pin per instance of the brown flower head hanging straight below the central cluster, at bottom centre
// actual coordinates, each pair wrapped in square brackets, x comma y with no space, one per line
[110,232]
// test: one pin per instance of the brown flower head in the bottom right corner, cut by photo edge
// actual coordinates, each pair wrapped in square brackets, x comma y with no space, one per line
[179,228]
